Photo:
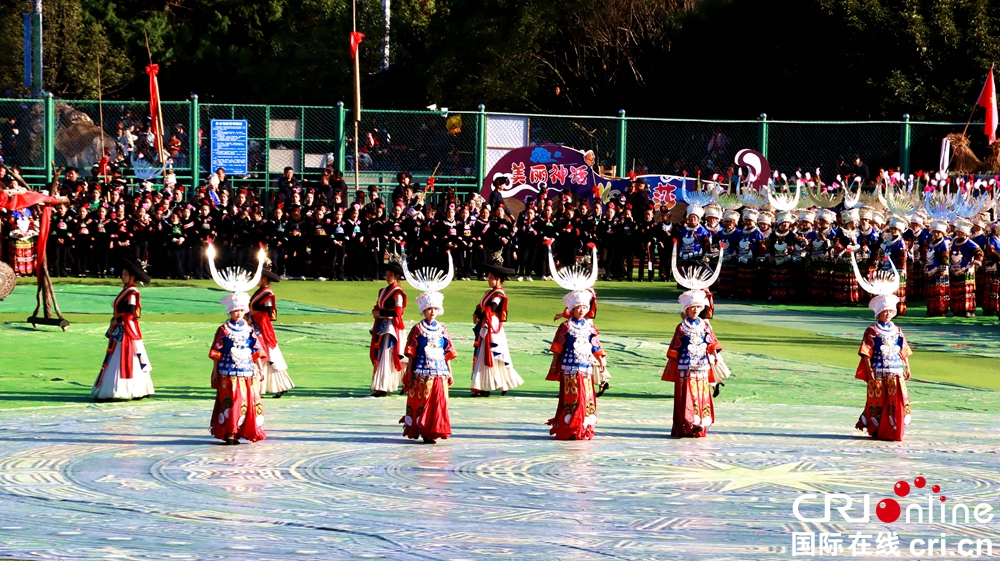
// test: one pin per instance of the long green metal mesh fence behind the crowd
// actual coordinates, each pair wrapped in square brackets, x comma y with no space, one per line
[57,133]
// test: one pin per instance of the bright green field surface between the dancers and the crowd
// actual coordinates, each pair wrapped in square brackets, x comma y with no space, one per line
[328,356]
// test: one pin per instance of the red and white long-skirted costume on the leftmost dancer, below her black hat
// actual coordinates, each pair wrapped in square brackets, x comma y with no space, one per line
[126,368]
